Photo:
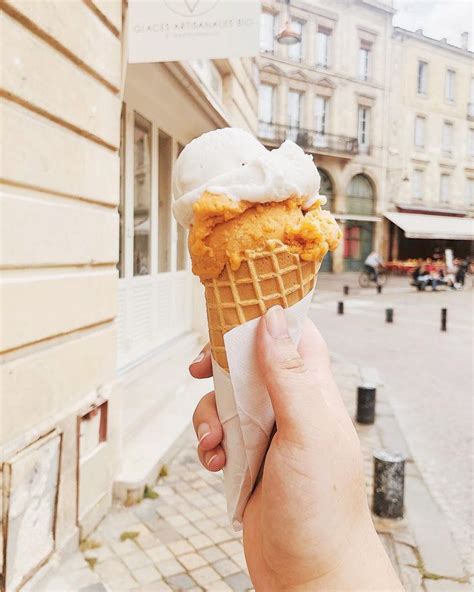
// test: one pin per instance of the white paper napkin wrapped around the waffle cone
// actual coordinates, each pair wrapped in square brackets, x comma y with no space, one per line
[245,409]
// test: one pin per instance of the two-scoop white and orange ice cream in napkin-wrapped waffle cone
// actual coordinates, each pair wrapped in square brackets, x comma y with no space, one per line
[257,238]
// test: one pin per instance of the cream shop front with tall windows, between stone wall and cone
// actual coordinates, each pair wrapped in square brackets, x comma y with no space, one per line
[161,314]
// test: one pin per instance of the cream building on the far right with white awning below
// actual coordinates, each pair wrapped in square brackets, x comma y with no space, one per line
[431,156]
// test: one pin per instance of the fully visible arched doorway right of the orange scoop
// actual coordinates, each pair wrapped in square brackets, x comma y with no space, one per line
[358,235]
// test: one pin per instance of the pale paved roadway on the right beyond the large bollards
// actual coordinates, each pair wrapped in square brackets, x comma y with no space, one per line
[427,376]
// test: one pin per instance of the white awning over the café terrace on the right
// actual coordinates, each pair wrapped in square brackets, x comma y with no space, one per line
[426,226]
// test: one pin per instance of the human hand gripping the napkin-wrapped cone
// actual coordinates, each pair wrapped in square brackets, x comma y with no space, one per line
[307,525]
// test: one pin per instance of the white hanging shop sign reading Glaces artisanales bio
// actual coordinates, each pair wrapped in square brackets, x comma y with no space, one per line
[173,30]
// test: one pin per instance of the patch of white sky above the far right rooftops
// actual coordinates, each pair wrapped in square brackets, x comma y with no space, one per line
[437,18]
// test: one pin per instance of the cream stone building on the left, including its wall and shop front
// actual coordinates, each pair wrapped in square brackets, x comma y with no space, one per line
[100,312]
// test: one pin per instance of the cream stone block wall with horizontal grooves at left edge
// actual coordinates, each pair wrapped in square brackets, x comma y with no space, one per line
[60,115]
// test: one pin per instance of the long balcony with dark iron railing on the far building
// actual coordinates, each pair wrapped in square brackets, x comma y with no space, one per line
[309,140]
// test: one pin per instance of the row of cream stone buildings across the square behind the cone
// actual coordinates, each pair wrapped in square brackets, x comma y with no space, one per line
[348,95]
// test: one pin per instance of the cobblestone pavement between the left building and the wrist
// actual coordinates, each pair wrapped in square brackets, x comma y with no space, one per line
[177,538]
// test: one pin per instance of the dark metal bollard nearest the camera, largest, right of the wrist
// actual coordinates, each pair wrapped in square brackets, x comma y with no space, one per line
[389,484]
